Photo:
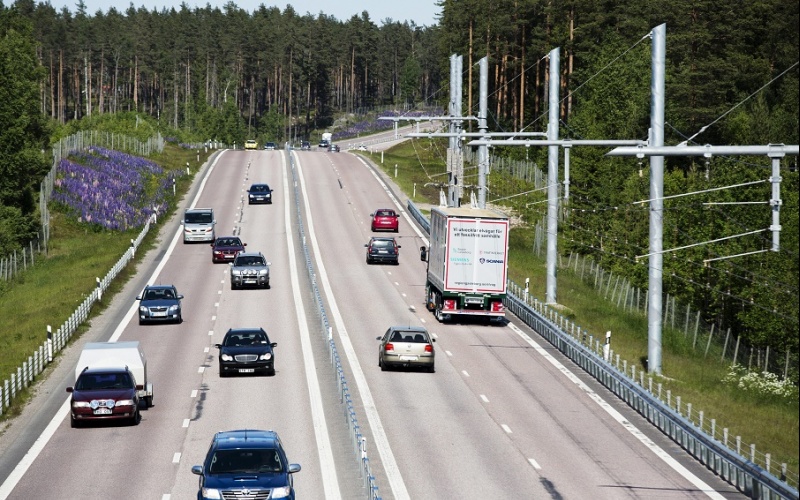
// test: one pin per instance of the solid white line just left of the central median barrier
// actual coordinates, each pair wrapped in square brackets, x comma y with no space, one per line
[327,463]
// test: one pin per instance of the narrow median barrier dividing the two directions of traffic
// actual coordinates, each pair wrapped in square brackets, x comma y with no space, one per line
[358,440]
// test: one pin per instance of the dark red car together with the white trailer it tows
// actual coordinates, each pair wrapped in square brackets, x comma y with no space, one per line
[110,382]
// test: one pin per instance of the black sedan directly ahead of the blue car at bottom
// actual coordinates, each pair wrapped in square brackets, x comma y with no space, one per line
[246,350]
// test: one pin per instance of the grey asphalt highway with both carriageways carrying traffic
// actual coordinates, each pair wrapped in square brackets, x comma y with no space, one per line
[503,416]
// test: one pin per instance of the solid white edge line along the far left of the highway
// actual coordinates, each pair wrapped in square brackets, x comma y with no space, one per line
[22,467]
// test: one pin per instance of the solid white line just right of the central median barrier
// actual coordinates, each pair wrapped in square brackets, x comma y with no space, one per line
[396,482]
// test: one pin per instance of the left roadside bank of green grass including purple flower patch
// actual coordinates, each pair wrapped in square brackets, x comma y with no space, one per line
[47,293]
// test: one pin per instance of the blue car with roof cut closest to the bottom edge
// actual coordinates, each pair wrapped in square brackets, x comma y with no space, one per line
[246,463]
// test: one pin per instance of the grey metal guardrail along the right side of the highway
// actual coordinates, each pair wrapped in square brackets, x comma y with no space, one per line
[740,472]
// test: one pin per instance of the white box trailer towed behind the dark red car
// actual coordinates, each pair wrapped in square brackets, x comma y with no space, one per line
[118,355]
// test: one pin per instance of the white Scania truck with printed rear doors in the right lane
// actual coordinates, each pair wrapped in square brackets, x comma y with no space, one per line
[467,263]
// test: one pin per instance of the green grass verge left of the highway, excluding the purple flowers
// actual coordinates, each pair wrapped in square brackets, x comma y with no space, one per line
[48,292]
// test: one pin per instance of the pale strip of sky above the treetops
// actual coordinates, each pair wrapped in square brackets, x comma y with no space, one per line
[421,12]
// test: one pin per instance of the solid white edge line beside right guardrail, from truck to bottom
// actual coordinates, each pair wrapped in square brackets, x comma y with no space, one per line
[635,432]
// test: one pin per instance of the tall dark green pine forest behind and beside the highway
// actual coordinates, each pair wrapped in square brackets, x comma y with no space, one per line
[227,74]
